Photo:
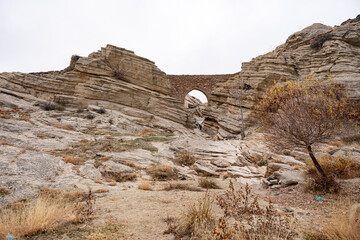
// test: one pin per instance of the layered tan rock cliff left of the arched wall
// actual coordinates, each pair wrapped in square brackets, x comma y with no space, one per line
[112,78]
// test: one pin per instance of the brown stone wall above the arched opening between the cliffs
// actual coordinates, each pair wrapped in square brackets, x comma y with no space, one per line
[181,85]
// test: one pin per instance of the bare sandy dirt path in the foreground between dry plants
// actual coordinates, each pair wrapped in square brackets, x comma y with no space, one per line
[143,212]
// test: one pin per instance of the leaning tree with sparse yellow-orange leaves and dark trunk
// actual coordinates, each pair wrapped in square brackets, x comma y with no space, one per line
[303,113]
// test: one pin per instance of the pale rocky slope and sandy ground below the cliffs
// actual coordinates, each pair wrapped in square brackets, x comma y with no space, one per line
[45,146]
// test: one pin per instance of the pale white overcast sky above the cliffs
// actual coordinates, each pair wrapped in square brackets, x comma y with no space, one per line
[181,37]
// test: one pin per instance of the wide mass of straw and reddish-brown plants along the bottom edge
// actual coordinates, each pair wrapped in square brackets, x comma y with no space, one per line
[243,218]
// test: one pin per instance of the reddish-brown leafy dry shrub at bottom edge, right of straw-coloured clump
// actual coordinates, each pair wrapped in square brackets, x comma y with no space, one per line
[249,219]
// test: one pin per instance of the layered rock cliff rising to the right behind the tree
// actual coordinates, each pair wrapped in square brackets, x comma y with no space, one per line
[317,49]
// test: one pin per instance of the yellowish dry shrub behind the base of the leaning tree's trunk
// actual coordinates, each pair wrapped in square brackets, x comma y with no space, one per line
[343,167]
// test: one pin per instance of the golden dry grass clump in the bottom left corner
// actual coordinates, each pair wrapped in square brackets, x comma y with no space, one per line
[36,216]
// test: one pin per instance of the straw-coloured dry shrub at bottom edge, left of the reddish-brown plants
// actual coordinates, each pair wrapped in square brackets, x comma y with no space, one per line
[196,223]
